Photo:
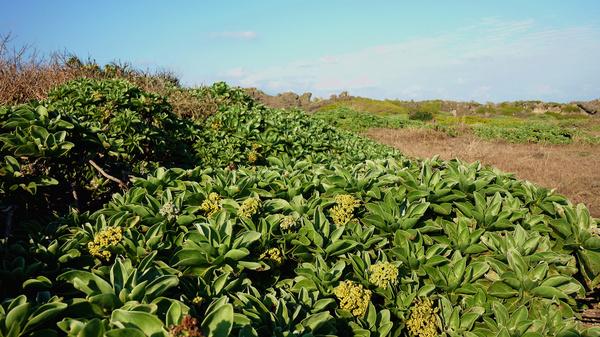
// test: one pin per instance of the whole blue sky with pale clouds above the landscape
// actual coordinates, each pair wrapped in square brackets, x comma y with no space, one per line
[463,50]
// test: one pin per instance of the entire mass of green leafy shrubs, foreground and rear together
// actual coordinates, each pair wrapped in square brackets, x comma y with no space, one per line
[268,223]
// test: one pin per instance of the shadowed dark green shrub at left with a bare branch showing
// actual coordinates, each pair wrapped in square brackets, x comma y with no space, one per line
[61,152]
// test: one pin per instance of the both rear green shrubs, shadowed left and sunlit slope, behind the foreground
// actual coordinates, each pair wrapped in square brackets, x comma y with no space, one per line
[84,142]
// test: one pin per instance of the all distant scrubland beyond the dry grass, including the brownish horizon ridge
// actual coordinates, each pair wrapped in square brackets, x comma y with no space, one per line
[533,122]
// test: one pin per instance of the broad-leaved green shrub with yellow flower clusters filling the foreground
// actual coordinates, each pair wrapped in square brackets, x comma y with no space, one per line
[461,235]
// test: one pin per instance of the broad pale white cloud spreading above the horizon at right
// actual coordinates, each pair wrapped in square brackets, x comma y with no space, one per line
[490,60]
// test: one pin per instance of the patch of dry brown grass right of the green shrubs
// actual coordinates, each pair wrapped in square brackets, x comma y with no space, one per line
[573,170]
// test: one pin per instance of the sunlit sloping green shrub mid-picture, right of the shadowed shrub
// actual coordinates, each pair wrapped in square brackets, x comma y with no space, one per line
[240,135]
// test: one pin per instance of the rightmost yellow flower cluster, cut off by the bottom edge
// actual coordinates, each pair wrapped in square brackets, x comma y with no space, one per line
[423,320]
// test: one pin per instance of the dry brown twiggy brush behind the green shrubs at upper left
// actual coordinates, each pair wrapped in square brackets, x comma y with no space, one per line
[25,75]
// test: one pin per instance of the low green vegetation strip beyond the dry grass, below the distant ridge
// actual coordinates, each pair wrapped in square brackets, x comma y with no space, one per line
[522,127]
